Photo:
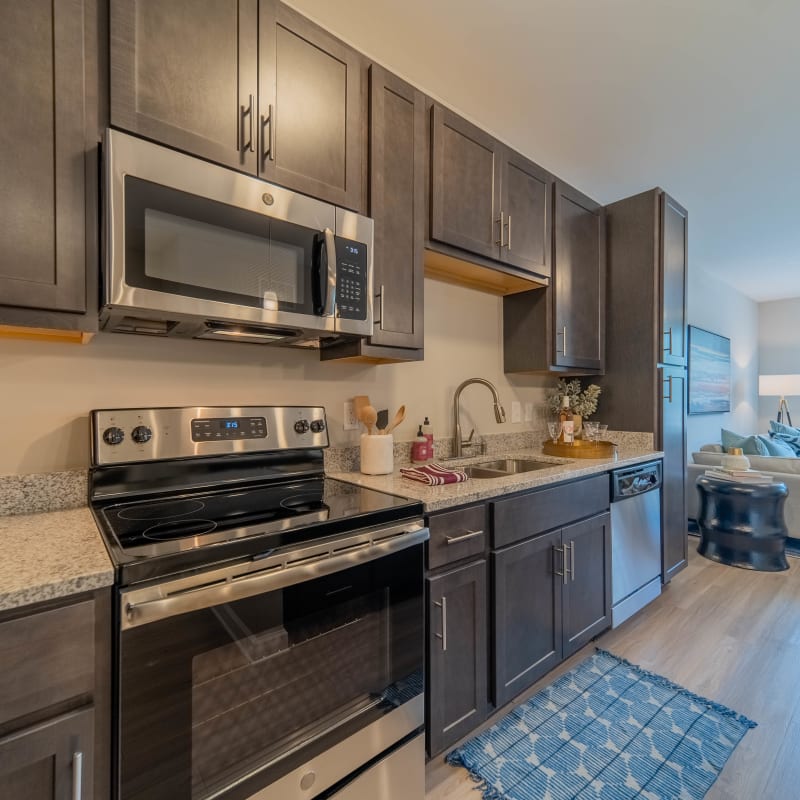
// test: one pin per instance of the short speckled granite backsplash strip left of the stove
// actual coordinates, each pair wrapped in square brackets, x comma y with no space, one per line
[42,492]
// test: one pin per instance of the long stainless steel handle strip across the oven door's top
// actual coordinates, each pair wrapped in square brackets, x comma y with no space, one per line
[210,592]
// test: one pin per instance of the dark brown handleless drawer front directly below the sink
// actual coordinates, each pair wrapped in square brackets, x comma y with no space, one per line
[542,510]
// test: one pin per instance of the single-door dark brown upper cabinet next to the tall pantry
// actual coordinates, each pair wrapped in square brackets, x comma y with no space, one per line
[561,329]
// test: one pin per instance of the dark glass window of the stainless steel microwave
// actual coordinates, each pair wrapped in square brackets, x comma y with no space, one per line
[190,246]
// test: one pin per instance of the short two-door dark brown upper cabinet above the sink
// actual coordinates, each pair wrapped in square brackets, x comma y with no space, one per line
[486,199]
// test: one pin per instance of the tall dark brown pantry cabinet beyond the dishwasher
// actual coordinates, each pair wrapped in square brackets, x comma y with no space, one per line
[644,388]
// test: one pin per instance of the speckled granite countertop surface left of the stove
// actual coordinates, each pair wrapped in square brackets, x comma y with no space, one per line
[49,555]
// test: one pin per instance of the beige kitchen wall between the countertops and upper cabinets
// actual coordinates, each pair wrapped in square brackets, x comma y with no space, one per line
[47,390]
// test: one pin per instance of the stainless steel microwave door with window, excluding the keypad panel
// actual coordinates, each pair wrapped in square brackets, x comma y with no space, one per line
[192,239]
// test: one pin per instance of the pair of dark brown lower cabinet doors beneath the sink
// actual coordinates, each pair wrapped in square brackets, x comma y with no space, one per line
[552,594]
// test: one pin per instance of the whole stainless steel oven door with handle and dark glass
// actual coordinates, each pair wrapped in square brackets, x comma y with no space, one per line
[277,681]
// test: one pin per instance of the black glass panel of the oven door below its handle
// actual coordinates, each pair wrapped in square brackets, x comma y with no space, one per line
[224,701]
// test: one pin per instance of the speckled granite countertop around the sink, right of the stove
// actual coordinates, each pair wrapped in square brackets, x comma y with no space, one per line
[436,498]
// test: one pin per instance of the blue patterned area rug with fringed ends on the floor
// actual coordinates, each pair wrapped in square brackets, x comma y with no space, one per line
[606,730]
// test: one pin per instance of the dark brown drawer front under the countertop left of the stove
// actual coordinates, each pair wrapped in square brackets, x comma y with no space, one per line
[46,658]
